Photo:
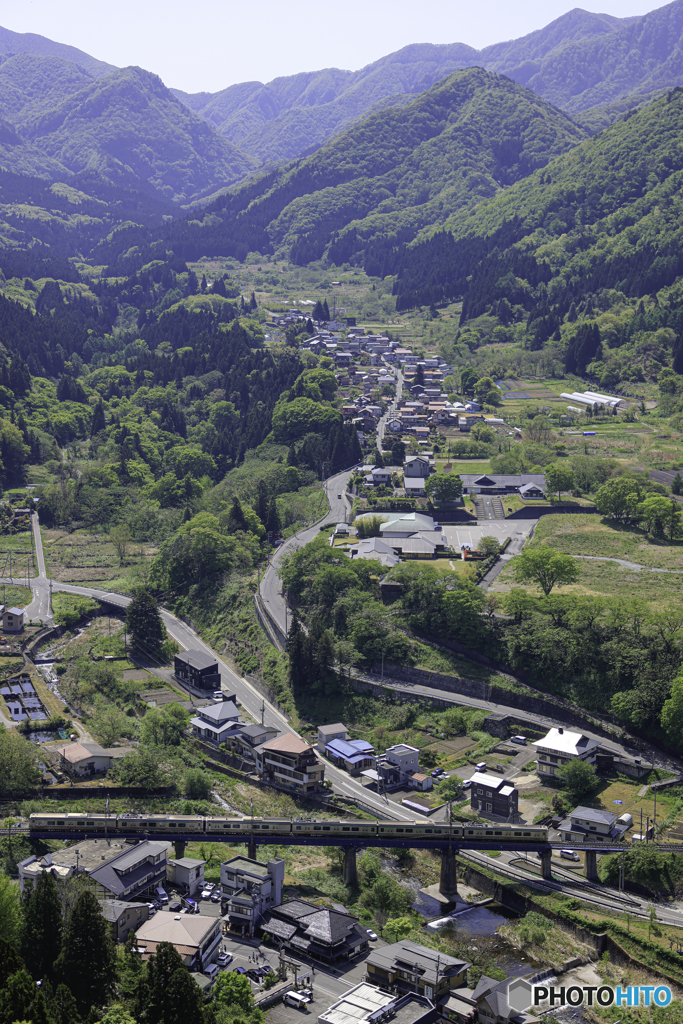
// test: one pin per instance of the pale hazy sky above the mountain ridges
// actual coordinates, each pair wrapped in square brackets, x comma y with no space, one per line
[215,44]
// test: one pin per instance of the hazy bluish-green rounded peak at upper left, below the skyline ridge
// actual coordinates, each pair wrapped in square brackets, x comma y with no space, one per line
[134,133]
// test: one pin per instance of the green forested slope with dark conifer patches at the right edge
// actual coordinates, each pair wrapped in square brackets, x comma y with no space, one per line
[578,244]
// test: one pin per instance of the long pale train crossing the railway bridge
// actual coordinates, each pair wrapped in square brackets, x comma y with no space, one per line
[259,829]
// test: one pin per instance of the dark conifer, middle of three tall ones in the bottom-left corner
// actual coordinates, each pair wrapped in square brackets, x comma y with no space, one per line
[88,961]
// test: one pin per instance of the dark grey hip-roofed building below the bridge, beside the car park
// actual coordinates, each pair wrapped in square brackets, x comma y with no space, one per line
[316,931]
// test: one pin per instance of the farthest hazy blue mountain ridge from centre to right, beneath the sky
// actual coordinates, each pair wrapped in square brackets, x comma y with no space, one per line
[580,62]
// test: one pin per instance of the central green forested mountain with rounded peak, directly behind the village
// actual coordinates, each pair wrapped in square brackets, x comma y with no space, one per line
[388,178]
